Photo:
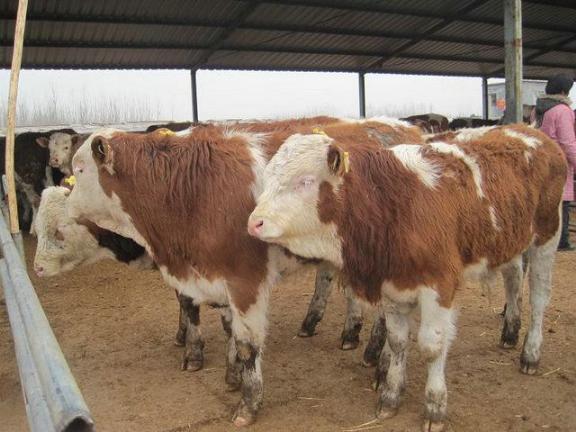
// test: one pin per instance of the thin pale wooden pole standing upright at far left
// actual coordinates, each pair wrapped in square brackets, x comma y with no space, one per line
[11,123]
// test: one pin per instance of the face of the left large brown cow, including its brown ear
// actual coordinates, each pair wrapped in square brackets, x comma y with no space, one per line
[88,200]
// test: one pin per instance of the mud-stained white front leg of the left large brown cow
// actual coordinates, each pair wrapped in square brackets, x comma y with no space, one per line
[249,330]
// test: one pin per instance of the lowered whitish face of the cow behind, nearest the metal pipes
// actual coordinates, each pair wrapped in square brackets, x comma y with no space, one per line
[62,243]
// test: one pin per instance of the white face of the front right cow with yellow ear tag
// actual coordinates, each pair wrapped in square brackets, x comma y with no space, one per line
[287,211]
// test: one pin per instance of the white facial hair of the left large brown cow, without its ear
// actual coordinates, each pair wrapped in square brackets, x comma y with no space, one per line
[88,199]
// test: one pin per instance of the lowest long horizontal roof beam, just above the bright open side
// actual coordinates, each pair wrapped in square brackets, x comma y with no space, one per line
[225,46]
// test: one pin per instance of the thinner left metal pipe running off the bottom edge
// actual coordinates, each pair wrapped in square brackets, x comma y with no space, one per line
[36,407]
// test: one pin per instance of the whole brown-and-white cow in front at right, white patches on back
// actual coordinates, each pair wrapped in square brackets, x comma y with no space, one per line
[408,226]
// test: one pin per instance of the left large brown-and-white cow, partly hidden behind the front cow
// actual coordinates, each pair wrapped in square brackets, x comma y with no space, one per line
[186,199]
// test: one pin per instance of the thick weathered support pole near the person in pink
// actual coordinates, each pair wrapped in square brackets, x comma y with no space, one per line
[513,60]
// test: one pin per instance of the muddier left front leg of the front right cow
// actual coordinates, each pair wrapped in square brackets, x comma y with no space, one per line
[392,366]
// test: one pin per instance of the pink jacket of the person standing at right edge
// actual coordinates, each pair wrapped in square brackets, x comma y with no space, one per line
[558,124]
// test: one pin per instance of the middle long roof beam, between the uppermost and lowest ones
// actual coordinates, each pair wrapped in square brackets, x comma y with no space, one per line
[290,28]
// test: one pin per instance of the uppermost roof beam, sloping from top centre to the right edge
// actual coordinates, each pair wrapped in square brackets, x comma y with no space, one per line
[386,8]
